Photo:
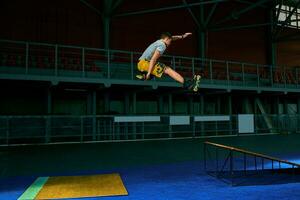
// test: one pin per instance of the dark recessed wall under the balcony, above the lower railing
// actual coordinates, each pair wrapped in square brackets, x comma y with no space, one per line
[19,98]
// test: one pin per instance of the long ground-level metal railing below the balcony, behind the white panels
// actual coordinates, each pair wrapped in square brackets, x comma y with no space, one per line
[55,129]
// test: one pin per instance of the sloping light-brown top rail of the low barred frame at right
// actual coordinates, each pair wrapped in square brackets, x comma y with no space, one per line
[251,153]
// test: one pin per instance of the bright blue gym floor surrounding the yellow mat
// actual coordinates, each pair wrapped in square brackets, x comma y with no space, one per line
[184,180]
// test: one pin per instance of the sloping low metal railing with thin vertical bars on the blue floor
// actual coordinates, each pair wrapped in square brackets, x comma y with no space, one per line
[231,164]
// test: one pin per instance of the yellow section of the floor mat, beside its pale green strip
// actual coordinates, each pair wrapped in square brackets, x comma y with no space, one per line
[82,186]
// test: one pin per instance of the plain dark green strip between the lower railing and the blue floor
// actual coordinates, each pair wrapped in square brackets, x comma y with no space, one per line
[69,158]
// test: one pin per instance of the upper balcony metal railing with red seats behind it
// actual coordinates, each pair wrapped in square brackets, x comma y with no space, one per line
[48,60]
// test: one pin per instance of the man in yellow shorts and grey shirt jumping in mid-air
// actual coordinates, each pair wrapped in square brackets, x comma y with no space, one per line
[149,66]
